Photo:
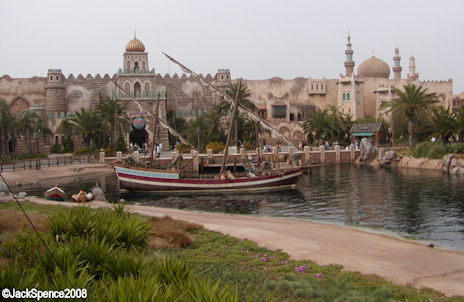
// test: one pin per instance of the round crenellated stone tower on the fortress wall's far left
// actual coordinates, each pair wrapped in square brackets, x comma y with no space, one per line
[55,92]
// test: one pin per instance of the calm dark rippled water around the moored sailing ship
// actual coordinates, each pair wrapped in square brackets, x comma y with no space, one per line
[423,205]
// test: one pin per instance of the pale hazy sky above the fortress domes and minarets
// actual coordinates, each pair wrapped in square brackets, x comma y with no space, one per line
[254,39]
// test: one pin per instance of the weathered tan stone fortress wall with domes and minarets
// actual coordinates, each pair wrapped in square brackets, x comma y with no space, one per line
[286,103]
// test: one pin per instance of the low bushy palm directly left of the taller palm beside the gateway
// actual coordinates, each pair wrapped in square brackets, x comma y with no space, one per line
[84,123]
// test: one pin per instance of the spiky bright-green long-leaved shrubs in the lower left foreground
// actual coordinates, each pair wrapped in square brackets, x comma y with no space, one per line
[102,252]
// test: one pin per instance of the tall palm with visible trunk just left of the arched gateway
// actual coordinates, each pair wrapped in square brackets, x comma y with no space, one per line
[112,113]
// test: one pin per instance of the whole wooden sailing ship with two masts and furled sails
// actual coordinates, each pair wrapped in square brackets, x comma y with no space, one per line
[136,178]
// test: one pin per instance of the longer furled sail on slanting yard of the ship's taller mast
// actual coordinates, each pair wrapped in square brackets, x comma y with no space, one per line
[266,125]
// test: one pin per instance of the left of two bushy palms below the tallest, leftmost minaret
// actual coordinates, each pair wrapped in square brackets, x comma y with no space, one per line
[319,126]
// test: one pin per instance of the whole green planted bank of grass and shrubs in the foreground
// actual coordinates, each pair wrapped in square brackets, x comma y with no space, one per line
[90,246]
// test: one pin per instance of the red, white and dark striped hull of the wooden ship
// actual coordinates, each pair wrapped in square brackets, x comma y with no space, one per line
[134,180]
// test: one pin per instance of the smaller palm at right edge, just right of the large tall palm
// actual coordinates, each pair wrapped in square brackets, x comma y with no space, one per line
[443,123]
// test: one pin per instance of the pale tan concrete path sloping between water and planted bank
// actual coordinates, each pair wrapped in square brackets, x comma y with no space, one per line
[394,259]
